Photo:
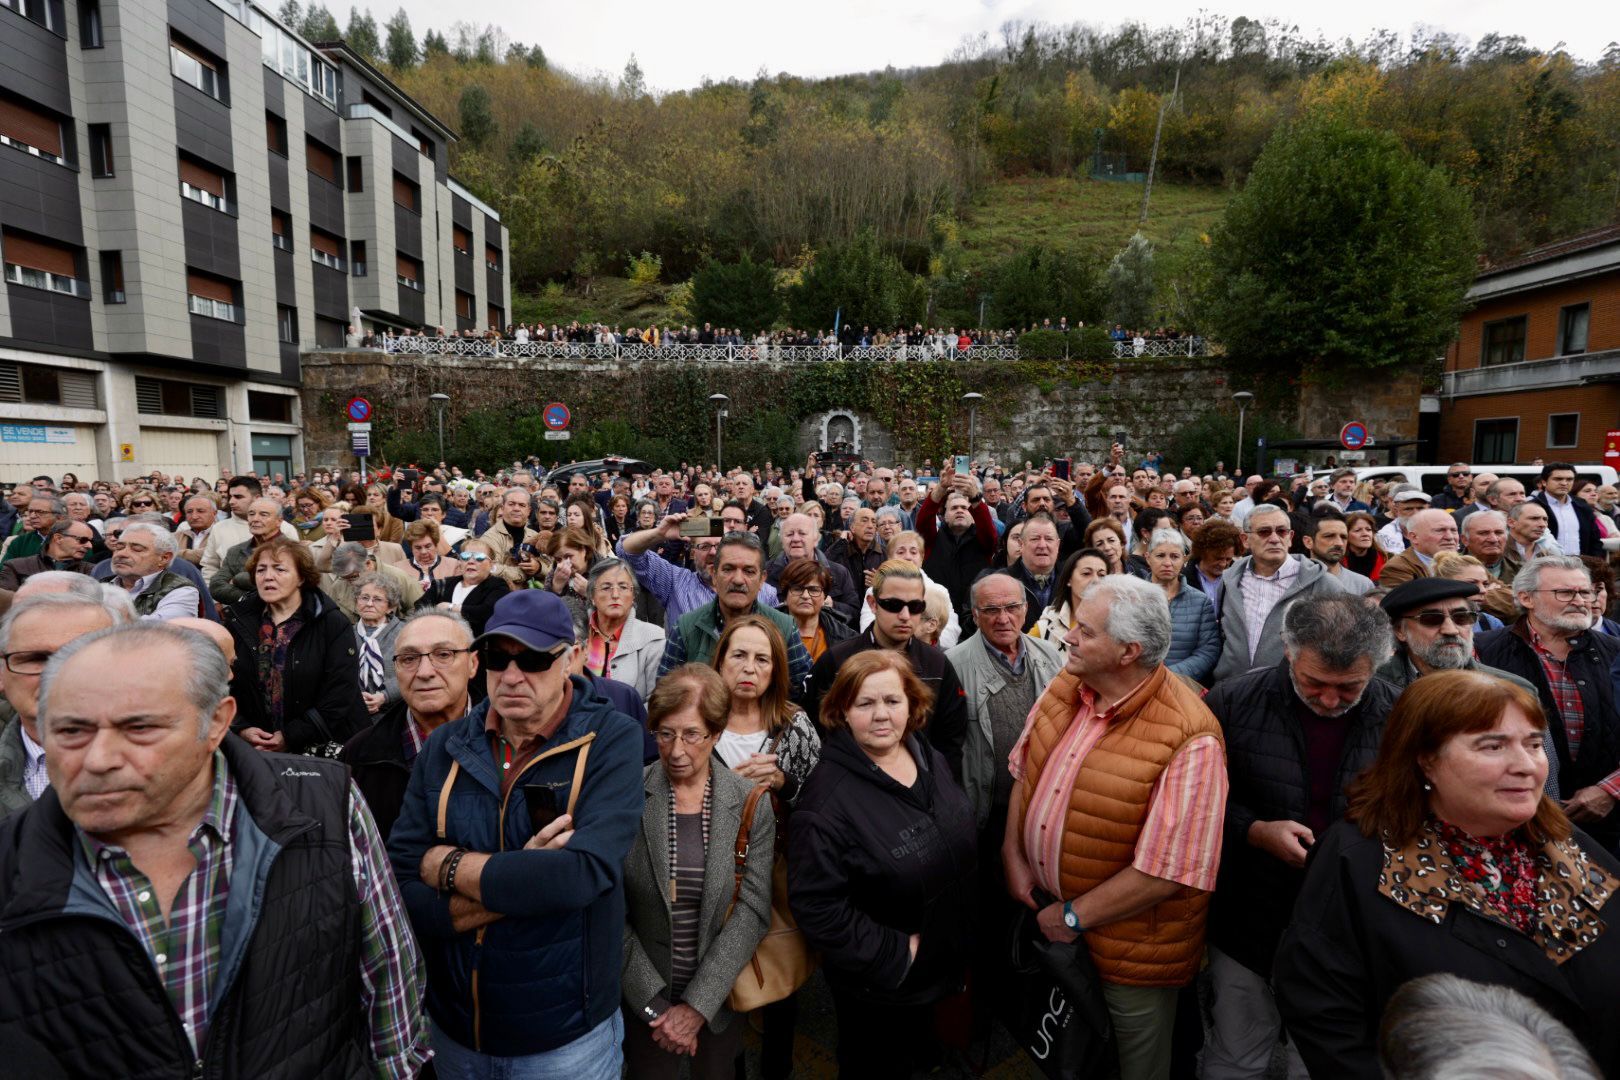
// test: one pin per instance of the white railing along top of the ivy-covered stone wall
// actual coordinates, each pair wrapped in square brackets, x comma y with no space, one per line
[641,351]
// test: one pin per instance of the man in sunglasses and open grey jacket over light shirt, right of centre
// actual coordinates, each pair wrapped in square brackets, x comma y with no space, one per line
[1258,589]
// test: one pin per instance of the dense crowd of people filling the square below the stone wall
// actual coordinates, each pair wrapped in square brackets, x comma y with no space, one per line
[561,773]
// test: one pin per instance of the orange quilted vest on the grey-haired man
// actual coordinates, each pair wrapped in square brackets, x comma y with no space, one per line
[1164,945]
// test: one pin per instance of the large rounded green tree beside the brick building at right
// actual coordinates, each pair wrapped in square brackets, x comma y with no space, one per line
[1344,252]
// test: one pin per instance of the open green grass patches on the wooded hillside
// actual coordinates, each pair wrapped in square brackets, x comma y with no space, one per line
[1088,216]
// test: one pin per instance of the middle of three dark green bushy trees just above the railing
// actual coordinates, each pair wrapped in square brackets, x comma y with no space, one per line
[869,286]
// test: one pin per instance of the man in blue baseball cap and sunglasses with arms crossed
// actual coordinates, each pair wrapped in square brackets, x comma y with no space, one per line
[516,827]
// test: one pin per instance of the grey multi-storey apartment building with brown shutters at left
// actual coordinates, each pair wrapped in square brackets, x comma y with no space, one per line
[192,197]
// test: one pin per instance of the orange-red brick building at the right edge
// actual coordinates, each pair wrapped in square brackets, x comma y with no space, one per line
[1535,372]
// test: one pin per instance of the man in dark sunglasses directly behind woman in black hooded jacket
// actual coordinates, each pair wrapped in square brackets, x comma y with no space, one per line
[898,605]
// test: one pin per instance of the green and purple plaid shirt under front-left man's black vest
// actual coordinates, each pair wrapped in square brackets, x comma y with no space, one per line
[185,950]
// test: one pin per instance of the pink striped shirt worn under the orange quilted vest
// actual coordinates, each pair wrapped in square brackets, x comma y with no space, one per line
[1182,836]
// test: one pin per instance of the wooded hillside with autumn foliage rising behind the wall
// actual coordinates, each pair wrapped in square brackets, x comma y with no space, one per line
[973,181]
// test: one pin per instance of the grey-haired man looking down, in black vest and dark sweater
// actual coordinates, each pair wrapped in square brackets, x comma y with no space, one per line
[1297,734]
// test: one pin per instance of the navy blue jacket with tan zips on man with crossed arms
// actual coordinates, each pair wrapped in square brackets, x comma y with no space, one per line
[548,972]
